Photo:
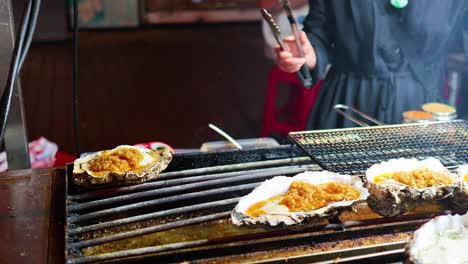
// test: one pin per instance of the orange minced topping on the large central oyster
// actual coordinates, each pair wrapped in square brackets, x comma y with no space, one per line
[304,197]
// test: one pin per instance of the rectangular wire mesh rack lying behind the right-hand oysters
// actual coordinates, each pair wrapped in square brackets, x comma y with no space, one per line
[354,150]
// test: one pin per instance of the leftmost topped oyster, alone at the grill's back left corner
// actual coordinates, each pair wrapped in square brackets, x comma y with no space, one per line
[123,164]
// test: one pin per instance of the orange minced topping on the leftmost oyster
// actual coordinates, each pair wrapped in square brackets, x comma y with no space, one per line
[120,160]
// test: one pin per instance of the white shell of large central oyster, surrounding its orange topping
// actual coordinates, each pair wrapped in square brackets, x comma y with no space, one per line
[276,213]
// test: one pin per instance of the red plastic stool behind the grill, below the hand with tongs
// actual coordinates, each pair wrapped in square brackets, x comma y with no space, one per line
[298,107]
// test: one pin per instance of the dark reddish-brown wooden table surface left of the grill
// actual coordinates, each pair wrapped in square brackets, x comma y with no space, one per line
[32,216]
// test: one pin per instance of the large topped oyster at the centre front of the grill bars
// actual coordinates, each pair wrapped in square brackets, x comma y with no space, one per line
[291,200]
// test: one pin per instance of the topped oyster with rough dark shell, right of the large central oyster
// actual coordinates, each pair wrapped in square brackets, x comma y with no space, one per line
[398,185]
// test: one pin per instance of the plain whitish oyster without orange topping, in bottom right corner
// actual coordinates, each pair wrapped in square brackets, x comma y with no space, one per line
[441,240]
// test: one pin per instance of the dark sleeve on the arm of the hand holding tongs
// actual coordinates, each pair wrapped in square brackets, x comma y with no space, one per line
[317,28]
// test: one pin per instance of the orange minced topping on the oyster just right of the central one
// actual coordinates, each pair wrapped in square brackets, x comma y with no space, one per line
[420,178]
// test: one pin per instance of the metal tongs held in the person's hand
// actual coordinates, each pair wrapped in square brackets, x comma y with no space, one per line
[304,73]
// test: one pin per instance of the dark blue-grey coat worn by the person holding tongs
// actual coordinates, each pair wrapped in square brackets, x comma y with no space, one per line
[384,60]
